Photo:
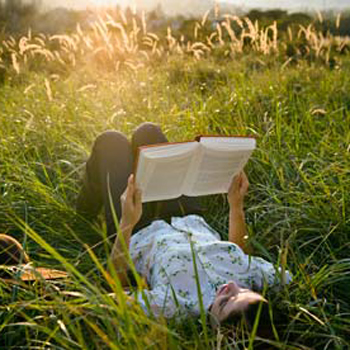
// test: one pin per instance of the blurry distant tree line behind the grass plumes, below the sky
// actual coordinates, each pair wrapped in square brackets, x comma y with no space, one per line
[17,16]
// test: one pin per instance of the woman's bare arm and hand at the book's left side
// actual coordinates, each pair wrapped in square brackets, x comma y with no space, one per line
[131,214]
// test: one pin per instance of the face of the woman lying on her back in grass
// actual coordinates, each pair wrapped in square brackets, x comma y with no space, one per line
[231,299]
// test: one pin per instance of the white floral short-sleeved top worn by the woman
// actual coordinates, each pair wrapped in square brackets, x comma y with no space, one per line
[168,256]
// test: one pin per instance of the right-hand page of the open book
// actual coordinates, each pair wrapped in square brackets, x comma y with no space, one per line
[219,163]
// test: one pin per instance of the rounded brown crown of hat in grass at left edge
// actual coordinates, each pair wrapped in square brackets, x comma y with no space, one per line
[11,252]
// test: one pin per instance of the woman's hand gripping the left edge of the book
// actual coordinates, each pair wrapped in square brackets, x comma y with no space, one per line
[131,204]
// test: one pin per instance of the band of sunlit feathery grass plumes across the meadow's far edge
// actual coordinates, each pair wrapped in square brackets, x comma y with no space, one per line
[115,42]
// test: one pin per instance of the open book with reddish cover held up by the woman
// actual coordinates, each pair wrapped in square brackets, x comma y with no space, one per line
[202,167]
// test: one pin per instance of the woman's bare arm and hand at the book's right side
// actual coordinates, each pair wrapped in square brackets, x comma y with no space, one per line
[237,226]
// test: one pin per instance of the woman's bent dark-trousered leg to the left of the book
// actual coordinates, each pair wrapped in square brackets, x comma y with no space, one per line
[107,172]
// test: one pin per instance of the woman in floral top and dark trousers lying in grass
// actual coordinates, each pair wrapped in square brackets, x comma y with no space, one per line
[188,268]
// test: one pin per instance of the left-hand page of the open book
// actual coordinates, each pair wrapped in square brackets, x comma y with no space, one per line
[161,170]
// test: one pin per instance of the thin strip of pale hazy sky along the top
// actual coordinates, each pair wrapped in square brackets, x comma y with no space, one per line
[288,4]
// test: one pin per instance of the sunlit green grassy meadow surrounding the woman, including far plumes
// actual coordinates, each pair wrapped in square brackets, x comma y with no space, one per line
[291,91]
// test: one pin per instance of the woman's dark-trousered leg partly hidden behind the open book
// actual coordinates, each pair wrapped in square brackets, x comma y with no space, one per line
[147,134]
